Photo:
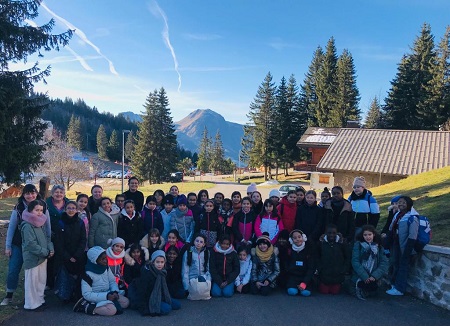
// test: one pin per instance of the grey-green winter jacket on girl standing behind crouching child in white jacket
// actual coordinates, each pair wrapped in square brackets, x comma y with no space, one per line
[103,226]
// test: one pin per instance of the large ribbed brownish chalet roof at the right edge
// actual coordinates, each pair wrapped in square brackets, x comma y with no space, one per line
[395,152]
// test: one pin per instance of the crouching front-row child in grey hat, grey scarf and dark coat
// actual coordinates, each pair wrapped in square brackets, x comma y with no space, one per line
[149,294]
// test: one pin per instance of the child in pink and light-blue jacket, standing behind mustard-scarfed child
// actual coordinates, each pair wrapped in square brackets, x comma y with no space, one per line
[269,221]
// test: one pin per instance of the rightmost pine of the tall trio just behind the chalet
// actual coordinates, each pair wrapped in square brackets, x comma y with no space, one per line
[347,97]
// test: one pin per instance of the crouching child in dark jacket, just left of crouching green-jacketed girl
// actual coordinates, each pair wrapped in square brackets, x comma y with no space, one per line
[333,262]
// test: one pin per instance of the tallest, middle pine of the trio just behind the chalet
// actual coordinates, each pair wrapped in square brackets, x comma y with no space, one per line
[327,86]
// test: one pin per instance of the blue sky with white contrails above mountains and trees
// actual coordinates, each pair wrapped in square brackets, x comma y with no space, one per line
[215,54]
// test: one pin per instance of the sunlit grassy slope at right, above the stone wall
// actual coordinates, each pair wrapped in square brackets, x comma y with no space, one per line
[431,194]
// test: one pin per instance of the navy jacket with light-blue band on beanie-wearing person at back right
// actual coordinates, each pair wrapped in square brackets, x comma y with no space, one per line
[365,208]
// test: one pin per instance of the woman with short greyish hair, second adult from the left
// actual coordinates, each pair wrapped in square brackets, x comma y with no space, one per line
[56,204]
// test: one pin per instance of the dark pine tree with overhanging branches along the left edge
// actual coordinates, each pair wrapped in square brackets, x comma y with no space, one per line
[21,130]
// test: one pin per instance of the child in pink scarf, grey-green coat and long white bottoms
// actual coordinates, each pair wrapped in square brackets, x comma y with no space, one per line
[36,248]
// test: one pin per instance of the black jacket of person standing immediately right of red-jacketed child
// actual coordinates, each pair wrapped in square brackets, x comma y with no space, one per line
[310,219]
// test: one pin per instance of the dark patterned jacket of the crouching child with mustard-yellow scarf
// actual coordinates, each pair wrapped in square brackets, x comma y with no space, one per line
[268,270]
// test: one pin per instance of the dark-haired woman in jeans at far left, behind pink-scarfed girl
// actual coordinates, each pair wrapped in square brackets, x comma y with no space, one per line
[13,247]
